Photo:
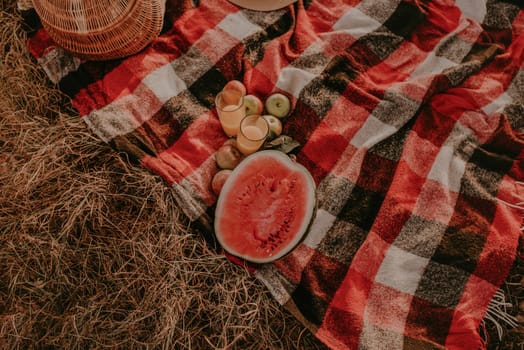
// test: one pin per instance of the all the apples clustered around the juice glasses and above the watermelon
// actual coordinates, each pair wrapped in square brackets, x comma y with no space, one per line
[274,108]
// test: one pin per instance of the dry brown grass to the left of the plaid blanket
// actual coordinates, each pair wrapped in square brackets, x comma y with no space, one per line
[94,252]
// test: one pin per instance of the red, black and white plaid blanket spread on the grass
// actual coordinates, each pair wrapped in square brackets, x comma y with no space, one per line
[409,115]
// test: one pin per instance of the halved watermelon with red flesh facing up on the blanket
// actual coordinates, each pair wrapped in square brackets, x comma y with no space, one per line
[265,207]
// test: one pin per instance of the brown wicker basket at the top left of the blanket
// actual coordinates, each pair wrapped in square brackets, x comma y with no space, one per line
[101,29]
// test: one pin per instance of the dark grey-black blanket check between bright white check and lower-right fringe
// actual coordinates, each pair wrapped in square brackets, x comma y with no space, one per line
[442,284]
